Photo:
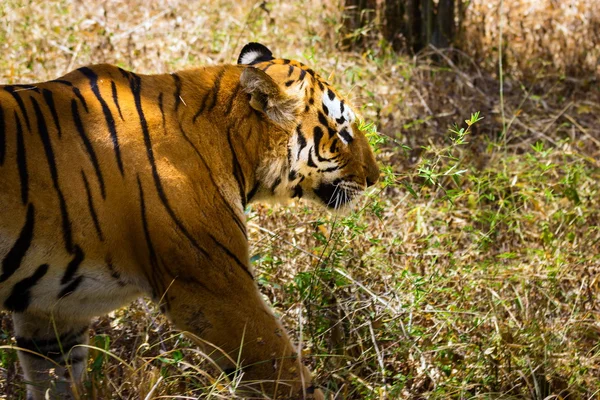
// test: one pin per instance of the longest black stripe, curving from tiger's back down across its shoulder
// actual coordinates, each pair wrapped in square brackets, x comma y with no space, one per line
[135,83]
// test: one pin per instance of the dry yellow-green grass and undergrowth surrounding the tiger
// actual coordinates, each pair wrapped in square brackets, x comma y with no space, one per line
[473,271]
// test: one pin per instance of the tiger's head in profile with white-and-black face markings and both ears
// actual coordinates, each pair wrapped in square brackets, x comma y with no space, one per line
[324,156]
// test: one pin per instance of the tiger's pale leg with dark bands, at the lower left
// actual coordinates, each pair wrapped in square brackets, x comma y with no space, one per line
[54,339]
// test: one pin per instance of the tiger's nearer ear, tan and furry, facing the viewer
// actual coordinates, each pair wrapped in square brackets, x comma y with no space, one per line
[267,97]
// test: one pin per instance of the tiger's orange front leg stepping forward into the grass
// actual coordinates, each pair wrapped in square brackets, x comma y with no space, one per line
[236,319]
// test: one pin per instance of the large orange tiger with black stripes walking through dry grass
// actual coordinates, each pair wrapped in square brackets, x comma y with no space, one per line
[116,185]
